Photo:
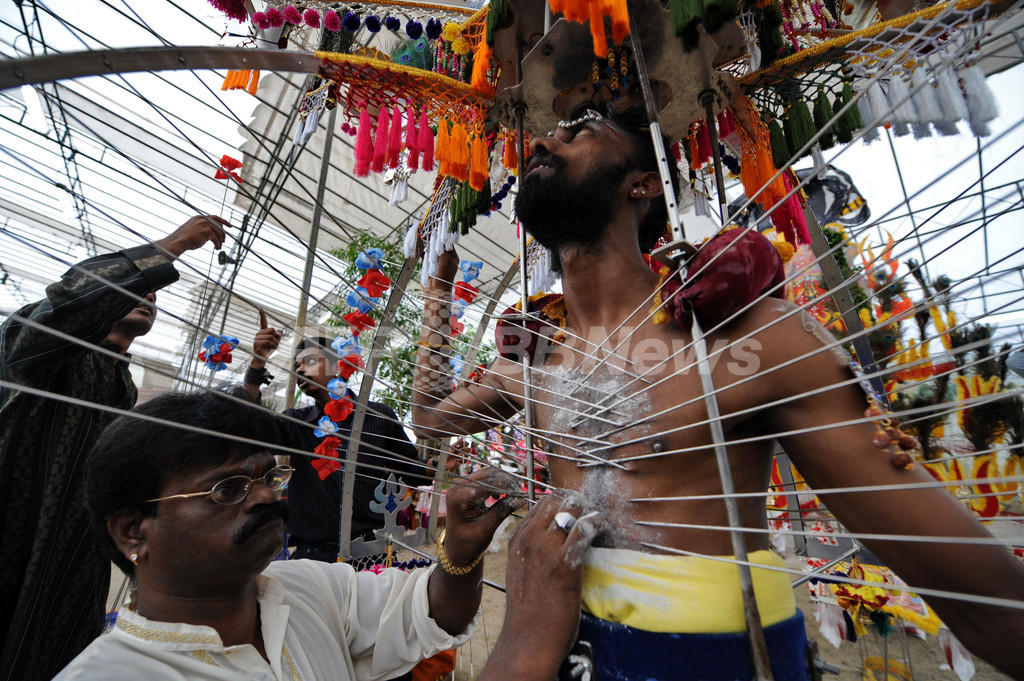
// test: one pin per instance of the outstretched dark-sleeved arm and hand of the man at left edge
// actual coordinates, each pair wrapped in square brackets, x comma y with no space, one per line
[96,294]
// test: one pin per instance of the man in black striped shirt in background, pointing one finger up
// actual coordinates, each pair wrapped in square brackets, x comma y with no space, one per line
[315,503]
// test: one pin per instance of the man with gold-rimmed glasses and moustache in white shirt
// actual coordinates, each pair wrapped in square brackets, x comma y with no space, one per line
[190,497]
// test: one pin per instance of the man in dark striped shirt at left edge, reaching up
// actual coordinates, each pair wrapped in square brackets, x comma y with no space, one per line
[58,357]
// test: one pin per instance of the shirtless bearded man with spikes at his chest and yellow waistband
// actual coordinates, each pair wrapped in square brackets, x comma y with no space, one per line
[592,195]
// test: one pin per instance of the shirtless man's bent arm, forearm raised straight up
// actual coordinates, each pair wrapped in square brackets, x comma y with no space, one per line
[437,411]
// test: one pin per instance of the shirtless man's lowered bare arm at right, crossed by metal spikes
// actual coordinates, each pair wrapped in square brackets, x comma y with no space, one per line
[845,457]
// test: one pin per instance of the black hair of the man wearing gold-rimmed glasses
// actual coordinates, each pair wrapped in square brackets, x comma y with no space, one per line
[129,462]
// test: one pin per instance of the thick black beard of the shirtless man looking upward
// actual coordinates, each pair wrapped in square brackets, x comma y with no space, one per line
[561,215]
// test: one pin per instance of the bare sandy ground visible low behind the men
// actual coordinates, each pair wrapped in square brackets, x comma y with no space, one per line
[923,658]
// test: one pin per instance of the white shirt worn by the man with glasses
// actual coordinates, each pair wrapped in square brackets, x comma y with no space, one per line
[320,622]
